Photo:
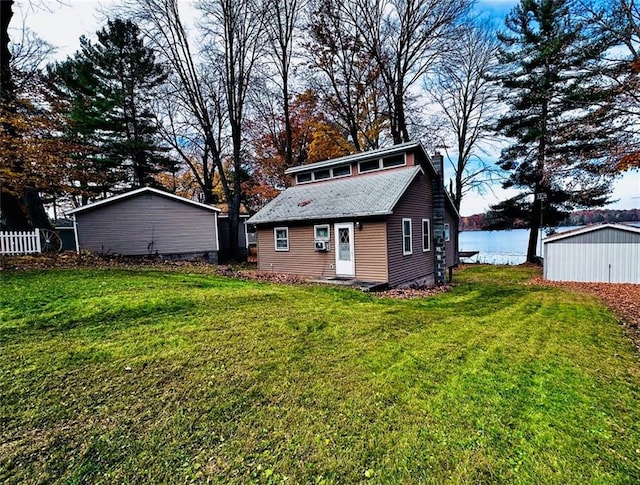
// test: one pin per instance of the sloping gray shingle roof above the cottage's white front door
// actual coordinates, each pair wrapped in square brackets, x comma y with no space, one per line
[365,195]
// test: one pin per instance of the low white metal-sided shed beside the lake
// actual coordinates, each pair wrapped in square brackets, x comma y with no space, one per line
[606,253]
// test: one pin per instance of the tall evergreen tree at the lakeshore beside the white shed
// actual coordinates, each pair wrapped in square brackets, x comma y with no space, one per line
[558,118]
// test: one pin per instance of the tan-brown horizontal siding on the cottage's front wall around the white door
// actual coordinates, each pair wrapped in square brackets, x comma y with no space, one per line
[302,259]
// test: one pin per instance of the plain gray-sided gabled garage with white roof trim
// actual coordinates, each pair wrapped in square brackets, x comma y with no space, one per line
[148,221]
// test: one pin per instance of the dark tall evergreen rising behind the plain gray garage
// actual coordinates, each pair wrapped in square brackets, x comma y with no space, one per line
[112,84]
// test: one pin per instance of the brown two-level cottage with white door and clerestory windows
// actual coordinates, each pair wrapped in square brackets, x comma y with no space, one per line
[381,216]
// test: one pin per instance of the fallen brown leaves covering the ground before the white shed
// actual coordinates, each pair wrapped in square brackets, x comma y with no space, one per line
[622,298]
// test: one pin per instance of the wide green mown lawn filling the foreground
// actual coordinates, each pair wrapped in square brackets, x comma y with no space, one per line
[149,376]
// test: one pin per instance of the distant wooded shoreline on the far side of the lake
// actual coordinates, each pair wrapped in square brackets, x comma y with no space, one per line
[482,222]
